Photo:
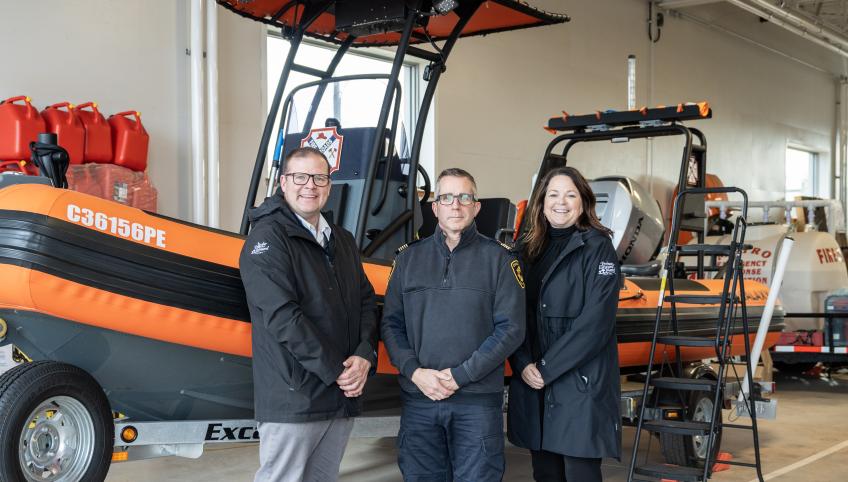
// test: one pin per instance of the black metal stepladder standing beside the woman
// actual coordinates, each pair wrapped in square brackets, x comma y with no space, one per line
[666,384]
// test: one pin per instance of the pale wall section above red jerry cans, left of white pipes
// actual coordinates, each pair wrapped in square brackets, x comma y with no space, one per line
[123,54]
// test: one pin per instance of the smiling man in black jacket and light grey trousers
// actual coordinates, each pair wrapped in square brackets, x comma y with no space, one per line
[314,326]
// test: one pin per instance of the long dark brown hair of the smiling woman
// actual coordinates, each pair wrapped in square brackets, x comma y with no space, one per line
[535,238]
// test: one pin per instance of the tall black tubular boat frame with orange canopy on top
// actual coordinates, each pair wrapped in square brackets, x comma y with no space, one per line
[368,23]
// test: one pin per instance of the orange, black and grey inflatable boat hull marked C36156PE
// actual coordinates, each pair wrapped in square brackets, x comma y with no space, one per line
[157,314]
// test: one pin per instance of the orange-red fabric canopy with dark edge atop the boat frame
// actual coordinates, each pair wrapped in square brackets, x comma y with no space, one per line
[492,16]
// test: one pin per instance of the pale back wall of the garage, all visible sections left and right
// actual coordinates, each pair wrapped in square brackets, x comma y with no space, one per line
[496,95]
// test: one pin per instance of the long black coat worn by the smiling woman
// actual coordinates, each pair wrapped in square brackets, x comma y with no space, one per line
[575,336]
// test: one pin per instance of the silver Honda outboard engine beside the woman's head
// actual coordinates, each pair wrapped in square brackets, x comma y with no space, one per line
[634,216]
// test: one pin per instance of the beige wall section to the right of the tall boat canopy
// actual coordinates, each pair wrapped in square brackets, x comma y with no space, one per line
[500,90]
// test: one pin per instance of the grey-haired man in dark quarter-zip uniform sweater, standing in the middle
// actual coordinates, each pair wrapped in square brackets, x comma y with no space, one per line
[454,311]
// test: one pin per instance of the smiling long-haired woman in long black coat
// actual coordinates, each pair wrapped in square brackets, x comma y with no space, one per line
[564,406]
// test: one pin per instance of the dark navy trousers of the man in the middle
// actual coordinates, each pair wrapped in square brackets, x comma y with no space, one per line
[445,441]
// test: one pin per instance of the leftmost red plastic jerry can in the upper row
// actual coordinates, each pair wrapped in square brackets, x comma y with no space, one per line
[20,124]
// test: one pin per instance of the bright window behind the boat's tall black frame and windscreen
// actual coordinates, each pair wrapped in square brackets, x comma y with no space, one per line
[368,96]
